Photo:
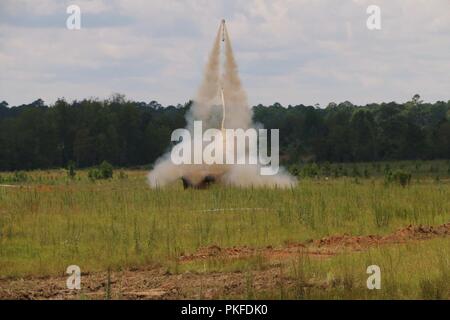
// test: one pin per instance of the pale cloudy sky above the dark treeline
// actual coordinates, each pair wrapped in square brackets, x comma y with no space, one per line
[290,51]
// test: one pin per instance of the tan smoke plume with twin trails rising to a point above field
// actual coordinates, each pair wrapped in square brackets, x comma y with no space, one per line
[221,102]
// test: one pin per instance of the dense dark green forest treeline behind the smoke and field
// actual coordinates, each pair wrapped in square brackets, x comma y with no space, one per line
[127,133]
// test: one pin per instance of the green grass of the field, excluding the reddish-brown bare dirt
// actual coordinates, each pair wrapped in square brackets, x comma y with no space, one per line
[52,222]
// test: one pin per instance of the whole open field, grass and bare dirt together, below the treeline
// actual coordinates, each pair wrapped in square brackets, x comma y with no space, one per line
[312,241]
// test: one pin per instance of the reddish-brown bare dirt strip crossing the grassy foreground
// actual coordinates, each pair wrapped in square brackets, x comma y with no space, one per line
[157,283]
